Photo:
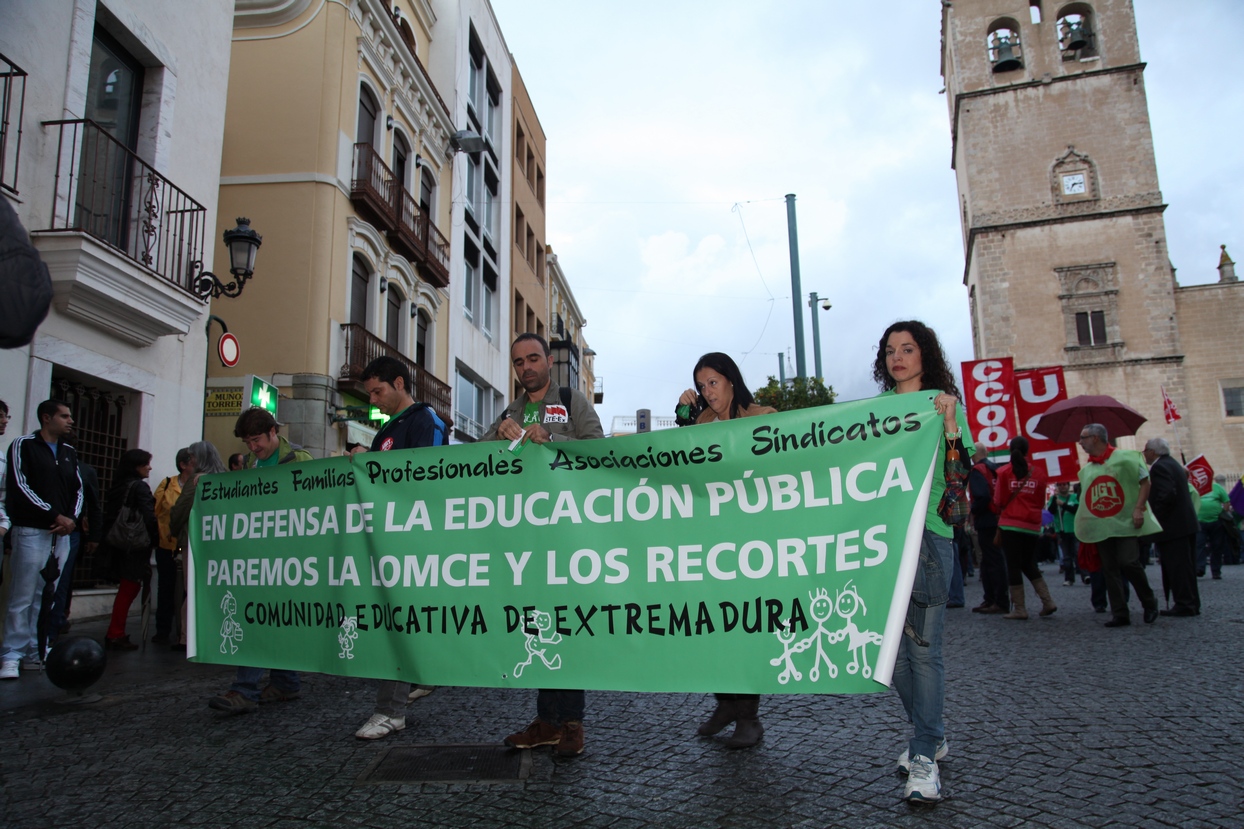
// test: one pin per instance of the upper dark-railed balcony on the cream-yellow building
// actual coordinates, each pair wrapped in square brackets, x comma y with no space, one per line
[383,200]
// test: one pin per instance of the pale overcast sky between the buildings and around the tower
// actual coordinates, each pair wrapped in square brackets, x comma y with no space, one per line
[676,129]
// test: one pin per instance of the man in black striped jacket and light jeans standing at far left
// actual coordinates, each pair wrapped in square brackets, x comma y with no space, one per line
[44,495]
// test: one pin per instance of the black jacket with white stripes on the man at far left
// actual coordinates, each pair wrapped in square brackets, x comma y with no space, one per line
[42,486]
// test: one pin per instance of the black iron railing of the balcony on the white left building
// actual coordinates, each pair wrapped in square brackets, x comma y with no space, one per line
[106,191]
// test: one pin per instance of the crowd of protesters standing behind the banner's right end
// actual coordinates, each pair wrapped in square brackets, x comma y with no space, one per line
[1160,512]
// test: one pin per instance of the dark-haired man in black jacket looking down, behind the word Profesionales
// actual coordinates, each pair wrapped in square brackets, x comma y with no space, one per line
[411,426]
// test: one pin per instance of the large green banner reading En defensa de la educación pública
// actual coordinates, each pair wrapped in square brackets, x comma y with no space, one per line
[759,556]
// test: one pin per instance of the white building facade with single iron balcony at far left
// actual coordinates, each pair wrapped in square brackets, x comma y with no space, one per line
[111,156]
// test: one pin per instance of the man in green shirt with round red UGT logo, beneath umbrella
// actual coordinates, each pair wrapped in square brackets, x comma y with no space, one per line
[1114,515]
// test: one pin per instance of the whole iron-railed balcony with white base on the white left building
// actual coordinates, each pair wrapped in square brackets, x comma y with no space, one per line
[125,243]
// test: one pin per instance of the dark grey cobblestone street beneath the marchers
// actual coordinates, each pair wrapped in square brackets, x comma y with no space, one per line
[1052,723]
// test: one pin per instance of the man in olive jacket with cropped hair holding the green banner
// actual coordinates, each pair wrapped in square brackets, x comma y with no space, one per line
[547,413]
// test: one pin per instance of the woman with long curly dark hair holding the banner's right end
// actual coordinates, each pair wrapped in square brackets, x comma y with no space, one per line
[910,362]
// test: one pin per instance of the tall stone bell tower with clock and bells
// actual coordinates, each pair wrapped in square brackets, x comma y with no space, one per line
[1065,247]
